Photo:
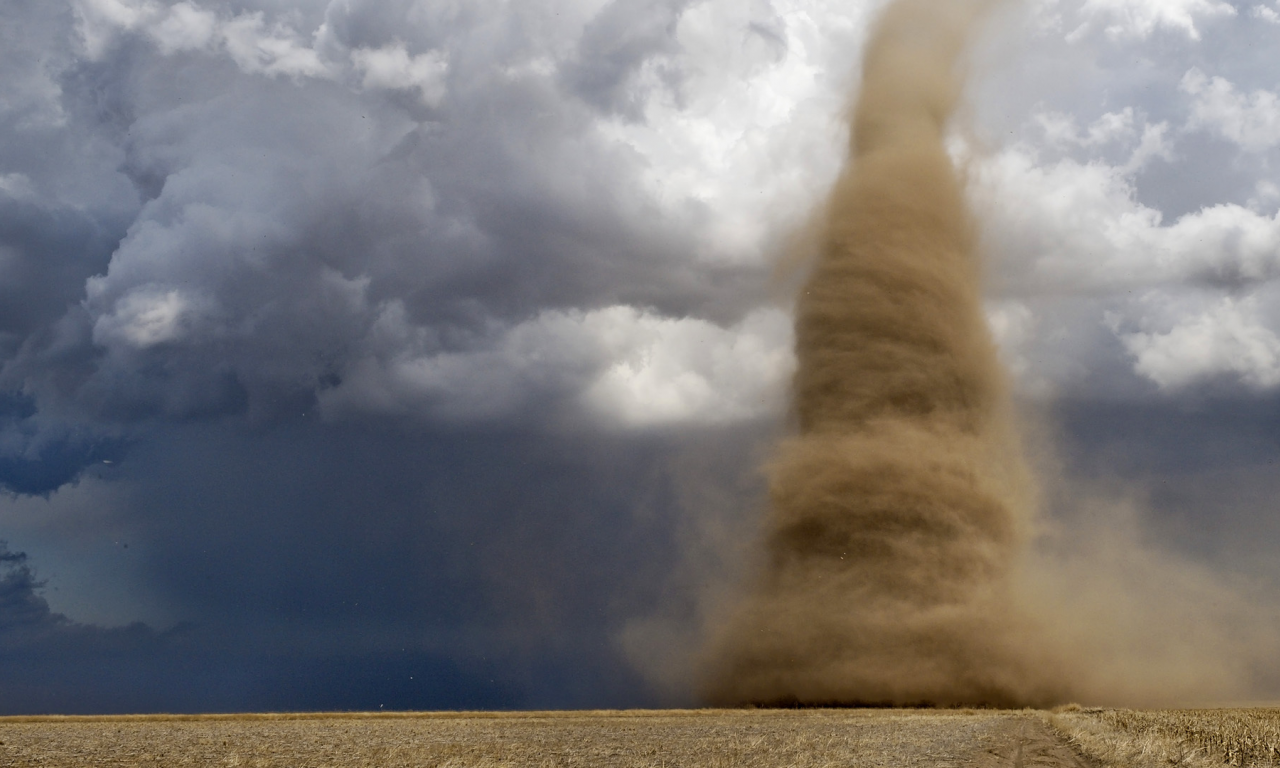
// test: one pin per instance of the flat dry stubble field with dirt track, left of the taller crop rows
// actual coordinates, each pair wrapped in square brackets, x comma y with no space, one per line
[799,739]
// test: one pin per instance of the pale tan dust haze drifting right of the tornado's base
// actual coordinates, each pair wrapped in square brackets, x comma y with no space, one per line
[1137,621]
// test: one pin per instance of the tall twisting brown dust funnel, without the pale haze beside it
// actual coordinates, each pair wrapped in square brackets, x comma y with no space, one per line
[902,508]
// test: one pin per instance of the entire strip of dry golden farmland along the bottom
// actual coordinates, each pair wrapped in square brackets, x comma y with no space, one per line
[706,739]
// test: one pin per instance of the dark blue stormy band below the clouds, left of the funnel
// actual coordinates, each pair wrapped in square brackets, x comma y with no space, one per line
[324,568]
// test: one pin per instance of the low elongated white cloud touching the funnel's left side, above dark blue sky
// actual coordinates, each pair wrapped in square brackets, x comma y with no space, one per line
[624,367]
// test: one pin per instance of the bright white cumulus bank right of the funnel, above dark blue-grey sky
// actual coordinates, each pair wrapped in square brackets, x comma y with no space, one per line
[1082,259]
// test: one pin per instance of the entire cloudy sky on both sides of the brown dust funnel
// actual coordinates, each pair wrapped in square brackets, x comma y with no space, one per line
[423,354]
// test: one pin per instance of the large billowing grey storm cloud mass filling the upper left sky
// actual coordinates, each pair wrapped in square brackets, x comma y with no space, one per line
[312,211]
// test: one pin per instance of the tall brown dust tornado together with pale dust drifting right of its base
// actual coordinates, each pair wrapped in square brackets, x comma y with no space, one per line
[904,560]
